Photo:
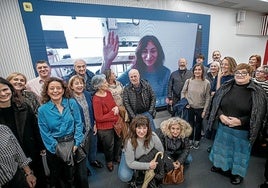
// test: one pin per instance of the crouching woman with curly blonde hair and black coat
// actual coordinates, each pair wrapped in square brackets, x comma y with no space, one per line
[174,134]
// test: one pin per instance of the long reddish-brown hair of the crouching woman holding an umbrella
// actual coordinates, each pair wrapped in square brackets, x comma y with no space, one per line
[139,121]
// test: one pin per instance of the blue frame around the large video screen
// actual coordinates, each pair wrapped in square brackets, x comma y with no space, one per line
[34,32]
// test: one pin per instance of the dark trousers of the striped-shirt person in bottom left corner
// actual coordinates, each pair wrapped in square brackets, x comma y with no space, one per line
[18,180]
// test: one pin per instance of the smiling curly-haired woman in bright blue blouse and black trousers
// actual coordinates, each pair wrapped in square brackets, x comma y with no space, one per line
[61,129]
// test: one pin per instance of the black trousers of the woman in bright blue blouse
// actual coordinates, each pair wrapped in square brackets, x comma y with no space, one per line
[61,174]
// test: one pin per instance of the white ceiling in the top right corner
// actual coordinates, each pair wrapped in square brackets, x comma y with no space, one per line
[251,5]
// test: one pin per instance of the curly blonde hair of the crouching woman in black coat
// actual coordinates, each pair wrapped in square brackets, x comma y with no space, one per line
[185,127]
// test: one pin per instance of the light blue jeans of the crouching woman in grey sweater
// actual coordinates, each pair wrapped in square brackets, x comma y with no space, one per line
[124,172]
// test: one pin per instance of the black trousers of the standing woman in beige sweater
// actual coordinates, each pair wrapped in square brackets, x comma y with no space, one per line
[195,120]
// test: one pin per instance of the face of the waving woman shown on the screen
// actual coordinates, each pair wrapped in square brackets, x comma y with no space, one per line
[149,54]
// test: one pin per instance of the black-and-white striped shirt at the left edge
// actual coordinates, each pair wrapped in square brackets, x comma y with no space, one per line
[11,155]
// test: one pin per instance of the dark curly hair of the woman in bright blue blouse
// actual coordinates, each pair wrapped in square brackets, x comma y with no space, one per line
[46,97]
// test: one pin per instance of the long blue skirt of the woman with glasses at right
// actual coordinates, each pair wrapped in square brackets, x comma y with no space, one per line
[231,150]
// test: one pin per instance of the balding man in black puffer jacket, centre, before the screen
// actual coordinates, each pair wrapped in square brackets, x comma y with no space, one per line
[139,98]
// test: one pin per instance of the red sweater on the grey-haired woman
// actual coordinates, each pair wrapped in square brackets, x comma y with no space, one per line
[104,116]
